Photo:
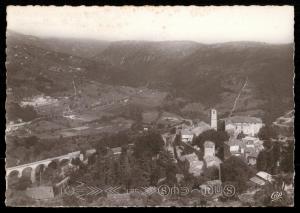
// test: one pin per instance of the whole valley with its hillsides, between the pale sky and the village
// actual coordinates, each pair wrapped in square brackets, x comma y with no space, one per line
[67,90]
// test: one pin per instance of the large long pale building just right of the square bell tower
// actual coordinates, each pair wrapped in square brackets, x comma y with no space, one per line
[243,124]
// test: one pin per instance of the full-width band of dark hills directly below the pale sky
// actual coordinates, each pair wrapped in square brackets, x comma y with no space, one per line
[205,75]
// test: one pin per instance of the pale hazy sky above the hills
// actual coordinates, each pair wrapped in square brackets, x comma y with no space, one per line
[272,24]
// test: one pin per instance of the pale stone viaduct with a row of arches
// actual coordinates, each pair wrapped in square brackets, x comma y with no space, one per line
[45,163]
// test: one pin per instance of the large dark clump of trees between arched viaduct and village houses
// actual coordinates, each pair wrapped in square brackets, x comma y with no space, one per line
[141,166]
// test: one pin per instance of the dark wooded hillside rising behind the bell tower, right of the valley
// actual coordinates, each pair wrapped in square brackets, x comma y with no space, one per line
[211,75]
